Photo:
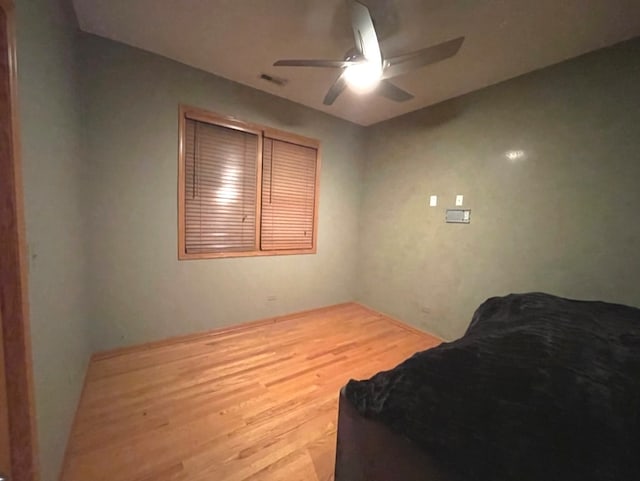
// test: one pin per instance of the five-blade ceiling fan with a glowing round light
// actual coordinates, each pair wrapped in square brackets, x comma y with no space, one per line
[365,70]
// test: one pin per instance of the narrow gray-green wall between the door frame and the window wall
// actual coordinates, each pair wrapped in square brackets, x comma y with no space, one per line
[52,164]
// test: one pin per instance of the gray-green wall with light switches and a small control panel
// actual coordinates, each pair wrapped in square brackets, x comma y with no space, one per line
[561,220]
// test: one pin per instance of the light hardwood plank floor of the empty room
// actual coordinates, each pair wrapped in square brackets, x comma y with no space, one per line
[257,402]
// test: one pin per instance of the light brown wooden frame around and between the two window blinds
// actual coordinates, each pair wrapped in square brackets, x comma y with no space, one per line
[194,113]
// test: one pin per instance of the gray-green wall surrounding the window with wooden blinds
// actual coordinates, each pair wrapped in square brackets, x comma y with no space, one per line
[140,291]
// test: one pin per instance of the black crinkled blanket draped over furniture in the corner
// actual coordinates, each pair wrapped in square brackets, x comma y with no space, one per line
[539,388]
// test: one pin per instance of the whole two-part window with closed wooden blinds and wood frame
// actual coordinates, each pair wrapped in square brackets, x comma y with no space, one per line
[244,189]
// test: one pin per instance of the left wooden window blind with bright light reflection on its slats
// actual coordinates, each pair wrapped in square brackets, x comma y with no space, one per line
[220,188]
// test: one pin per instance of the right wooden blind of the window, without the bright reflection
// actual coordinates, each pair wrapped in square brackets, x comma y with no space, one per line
[288,195]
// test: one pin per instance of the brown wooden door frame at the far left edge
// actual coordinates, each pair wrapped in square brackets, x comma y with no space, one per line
[14,309]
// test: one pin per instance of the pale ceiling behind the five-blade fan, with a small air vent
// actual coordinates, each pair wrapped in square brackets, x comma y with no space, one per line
[240,39]
